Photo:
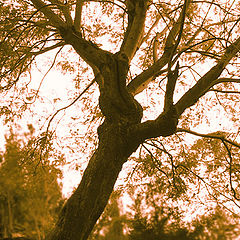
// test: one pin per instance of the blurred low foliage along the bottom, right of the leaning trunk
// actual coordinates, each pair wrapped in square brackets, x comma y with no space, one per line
[161,221]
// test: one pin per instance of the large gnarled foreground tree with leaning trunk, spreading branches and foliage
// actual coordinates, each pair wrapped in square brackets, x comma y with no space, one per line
[162,71]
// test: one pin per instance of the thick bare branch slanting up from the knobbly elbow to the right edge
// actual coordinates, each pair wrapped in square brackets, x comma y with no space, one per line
[208,80]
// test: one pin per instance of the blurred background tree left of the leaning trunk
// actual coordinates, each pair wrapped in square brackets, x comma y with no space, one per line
[29,190]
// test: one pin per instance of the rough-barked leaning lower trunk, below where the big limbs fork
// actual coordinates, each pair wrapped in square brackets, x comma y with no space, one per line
[87,203]
